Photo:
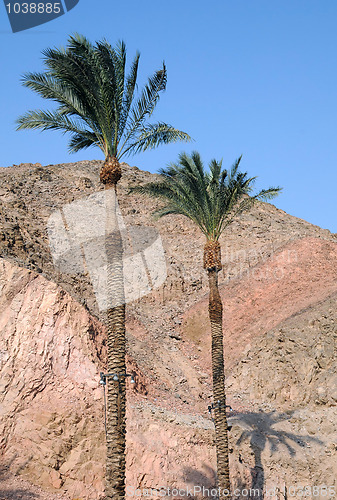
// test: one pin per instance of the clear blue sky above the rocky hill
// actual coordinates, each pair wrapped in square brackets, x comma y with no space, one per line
[251,77]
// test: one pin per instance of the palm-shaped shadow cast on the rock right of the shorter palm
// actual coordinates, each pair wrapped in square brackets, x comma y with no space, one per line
[257,427]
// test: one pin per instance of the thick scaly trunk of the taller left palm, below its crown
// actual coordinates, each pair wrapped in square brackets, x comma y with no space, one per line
[116,400]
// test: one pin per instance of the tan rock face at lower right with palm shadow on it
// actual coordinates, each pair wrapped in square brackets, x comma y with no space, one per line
[291,372]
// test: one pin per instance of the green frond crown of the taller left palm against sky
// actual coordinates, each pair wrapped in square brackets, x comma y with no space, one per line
[96,99]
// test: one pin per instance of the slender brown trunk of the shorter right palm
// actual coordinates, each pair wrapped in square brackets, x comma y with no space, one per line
[219,395]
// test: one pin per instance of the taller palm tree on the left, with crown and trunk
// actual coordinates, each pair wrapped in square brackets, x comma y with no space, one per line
[98,105]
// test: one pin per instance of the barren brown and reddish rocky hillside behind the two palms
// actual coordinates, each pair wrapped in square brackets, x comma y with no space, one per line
[279,289]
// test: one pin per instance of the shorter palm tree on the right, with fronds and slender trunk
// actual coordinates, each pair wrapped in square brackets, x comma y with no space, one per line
[212,200]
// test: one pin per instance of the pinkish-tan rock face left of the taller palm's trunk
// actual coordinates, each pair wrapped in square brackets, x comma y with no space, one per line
[49,368]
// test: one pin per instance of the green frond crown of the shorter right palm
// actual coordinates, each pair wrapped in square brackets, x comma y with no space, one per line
[211,199]
